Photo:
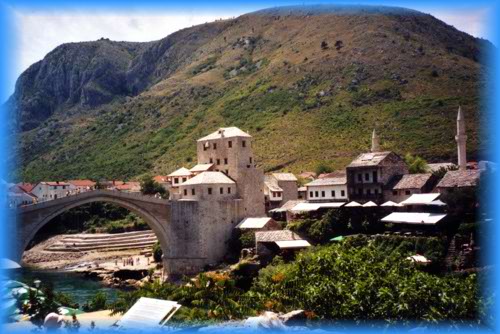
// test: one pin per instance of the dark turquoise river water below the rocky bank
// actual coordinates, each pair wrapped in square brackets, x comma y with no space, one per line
[76,285]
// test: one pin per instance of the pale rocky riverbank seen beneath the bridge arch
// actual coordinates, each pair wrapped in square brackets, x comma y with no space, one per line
[116,268]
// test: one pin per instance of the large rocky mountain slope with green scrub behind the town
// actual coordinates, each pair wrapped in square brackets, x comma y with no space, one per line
[309,83]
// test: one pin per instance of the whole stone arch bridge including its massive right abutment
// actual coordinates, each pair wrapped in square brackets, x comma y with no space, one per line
[192,234]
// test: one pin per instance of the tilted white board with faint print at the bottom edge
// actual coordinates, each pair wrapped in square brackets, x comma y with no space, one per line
[148,313]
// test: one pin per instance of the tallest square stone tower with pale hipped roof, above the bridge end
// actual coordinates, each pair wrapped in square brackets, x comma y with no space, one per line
[230,151]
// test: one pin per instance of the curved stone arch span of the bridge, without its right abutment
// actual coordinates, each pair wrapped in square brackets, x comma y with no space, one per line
[154,212]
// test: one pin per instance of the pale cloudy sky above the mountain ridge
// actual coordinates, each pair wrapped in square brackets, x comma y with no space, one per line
[39,29]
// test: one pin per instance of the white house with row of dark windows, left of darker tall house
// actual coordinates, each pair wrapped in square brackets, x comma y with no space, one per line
[327,189]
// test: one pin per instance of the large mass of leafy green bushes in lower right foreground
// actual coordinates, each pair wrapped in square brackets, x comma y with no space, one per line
[346,282]
